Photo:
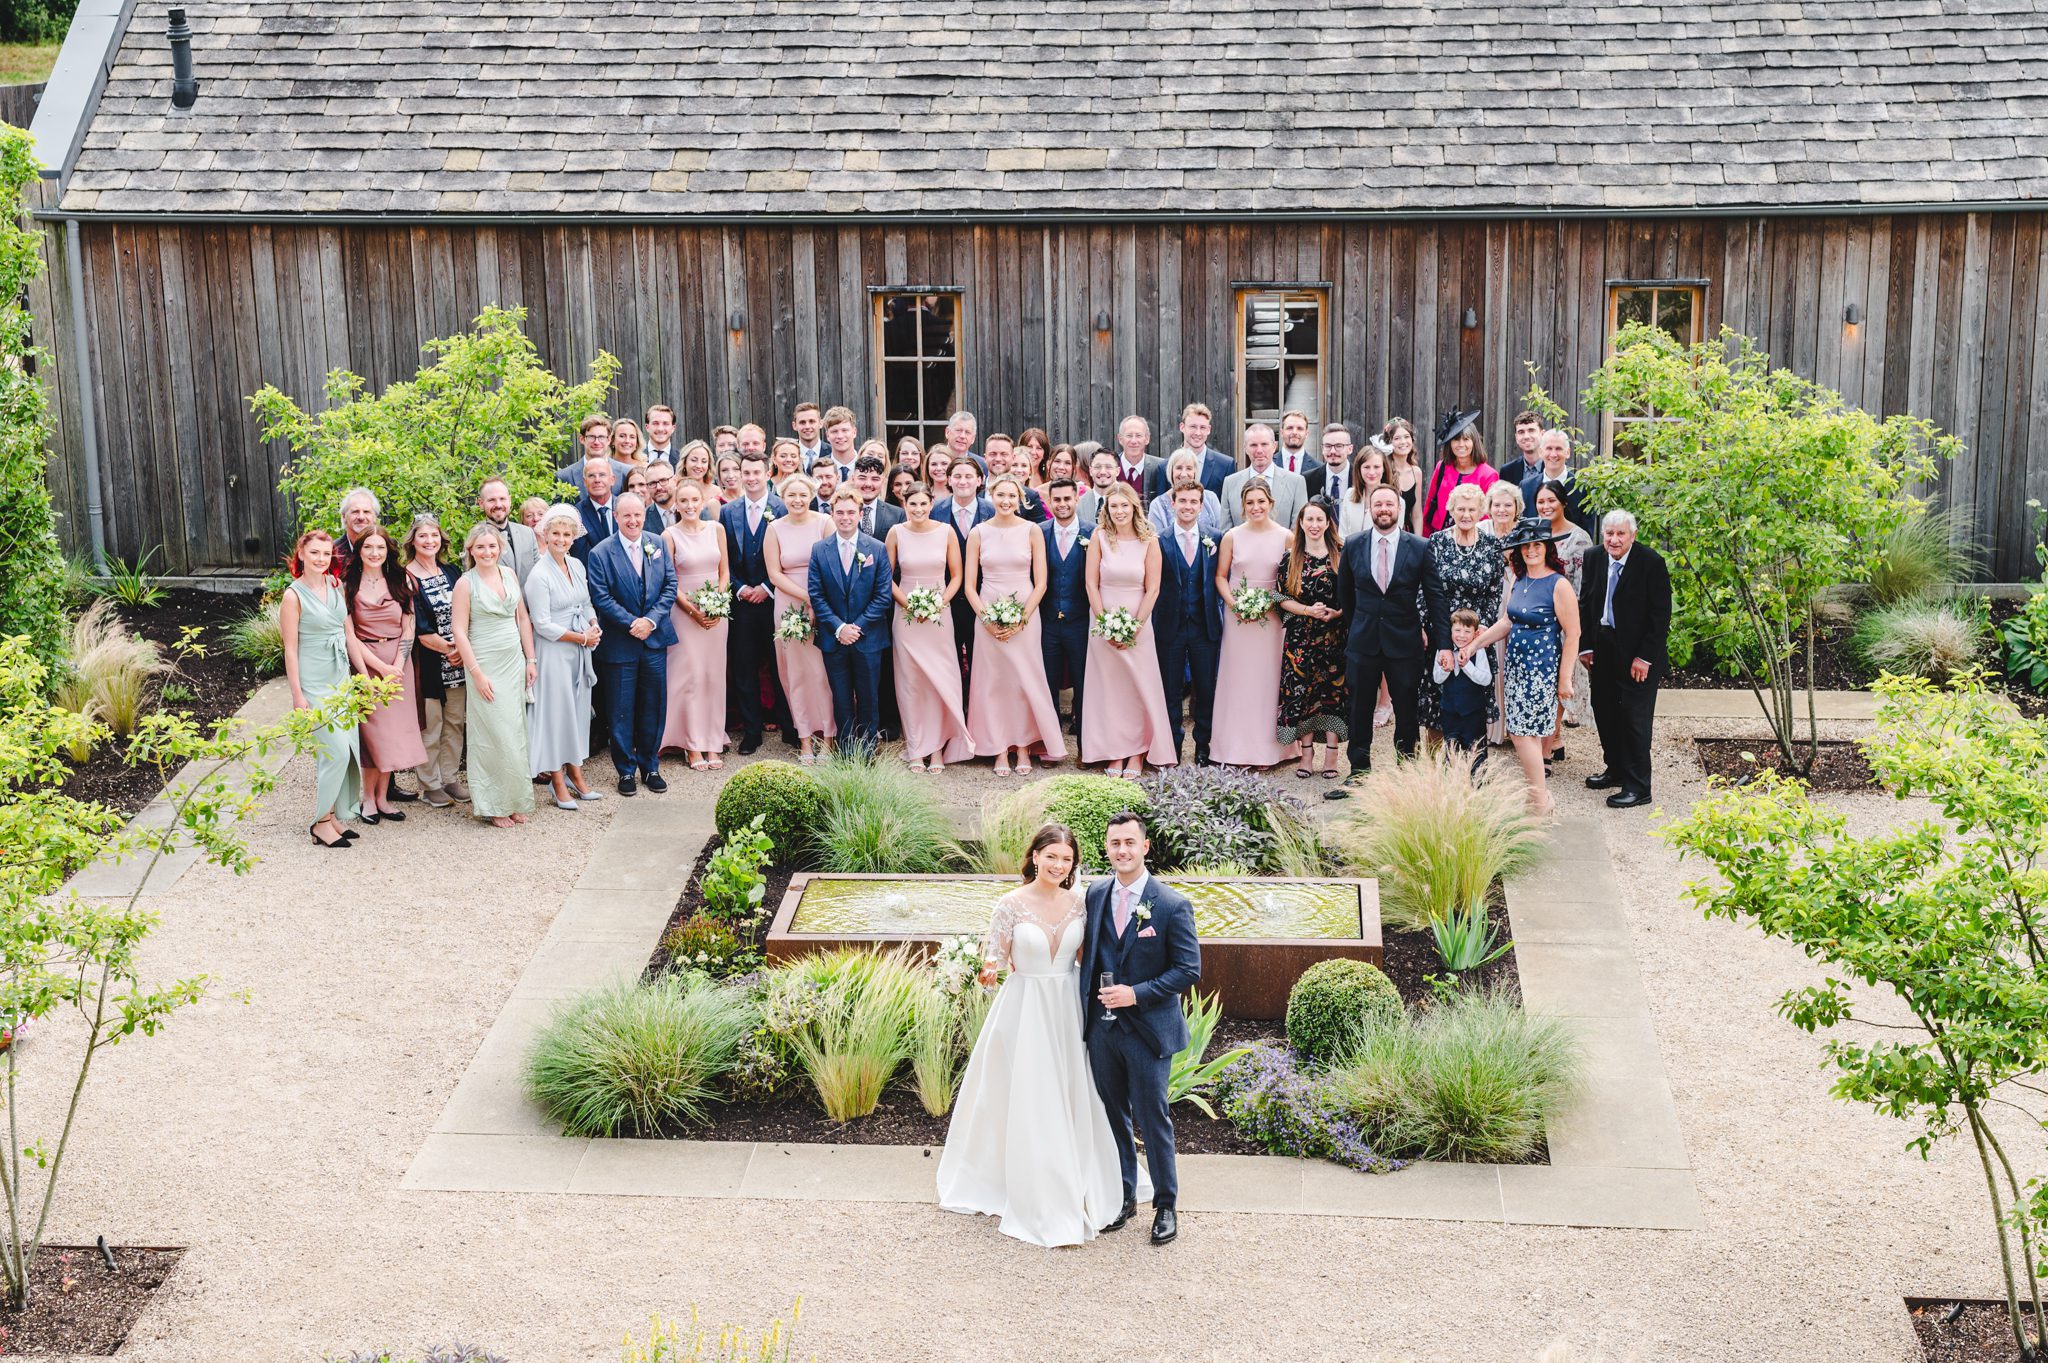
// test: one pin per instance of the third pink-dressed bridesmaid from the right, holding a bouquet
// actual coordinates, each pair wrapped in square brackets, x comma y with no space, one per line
[1009,701]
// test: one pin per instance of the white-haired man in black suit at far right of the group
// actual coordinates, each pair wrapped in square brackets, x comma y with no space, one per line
[1625,621]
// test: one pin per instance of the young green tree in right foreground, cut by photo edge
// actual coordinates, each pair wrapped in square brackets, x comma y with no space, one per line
[1951,918]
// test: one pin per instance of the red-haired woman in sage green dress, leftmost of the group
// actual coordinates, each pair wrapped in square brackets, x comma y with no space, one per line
[312,619]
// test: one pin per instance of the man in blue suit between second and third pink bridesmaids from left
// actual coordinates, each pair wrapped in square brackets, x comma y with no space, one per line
[851,605]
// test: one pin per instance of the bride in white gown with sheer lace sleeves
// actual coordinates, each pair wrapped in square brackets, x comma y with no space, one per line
[1029,1139]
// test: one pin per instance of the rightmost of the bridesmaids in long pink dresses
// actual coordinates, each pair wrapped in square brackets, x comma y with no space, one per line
[1252,654]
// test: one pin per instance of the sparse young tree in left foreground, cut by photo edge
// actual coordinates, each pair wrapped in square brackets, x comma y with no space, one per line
[65,955]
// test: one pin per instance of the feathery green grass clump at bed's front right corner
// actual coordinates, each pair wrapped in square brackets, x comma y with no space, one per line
[1469,1080]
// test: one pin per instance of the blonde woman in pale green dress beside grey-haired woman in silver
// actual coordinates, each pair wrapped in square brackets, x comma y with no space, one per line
[497,646]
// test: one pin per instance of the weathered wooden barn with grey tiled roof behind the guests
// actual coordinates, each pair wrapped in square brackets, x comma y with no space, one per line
[1095,208]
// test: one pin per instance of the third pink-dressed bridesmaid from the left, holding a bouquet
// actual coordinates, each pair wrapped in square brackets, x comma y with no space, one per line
[925,554]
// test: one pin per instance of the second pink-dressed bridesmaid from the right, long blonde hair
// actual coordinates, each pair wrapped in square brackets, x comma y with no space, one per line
[1123,711]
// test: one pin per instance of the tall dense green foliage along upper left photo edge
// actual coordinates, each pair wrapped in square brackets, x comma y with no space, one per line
[32,566]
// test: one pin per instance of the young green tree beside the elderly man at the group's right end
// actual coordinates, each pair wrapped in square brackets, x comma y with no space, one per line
[1762,490]
